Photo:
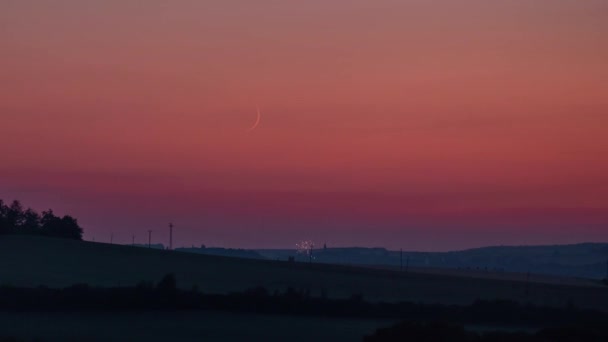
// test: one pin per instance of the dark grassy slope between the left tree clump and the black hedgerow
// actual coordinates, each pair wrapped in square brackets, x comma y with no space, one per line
[34,261]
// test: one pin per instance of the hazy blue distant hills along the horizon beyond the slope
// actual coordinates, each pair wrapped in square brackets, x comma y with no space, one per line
[586,260]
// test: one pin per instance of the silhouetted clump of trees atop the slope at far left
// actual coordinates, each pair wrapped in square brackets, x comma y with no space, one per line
[14,219]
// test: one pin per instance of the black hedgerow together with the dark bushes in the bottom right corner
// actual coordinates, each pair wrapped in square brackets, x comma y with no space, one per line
[418,321]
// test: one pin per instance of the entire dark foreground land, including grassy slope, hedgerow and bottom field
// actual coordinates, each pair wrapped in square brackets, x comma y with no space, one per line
[188,297]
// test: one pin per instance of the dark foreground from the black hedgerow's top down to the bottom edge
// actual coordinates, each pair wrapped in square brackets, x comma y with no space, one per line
[163,312]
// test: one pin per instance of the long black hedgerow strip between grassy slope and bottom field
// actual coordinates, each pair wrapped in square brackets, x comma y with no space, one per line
[166,295]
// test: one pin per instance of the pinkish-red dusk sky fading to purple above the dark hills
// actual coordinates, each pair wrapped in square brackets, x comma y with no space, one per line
[416,124]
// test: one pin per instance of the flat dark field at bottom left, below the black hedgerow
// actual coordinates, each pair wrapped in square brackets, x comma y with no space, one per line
[176,326]
